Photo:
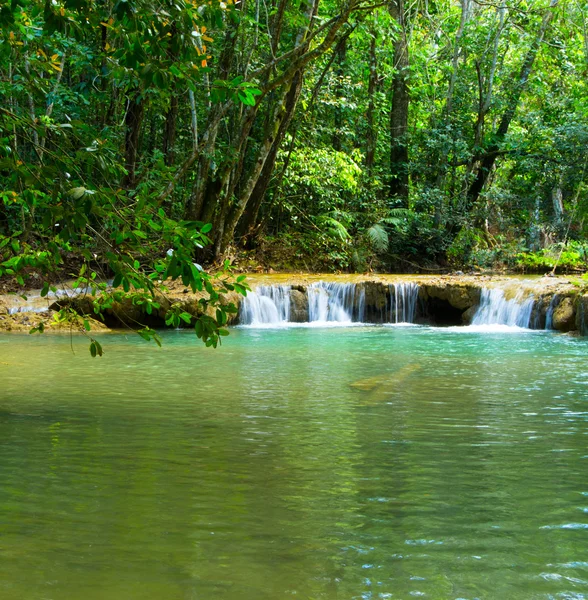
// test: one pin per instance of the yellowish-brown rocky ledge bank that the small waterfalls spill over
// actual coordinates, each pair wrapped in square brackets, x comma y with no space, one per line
[558,303]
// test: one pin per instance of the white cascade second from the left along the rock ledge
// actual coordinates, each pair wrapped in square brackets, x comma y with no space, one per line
[335,302]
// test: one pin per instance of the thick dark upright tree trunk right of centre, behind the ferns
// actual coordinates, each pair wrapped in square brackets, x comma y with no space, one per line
[398,180]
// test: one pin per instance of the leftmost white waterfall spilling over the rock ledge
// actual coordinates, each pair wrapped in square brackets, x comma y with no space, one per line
[267,305]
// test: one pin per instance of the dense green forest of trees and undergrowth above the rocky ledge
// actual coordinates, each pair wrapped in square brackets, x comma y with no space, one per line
[141,138]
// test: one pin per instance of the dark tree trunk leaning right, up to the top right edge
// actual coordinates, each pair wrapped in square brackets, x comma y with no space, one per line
[492,151]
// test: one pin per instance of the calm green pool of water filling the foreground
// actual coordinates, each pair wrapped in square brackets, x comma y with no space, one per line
[459,469]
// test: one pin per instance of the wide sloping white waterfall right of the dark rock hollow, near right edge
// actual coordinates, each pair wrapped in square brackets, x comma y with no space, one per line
[495,309]
